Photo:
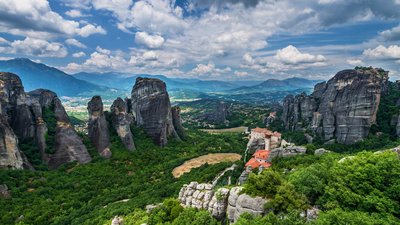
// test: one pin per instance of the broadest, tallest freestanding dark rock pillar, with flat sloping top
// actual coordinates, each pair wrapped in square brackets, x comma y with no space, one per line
[152,109]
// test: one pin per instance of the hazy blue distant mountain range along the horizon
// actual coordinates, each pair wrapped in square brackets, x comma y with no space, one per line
[37,75]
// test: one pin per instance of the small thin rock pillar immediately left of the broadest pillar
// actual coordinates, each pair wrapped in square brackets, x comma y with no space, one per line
[121,122]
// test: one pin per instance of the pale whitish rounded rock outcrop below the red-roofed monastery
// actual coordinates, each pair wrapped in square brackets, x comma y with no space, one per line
[222,203]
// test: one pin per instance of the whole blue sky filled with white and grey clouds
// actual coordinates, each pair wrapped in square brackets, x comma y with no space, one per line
[205,39]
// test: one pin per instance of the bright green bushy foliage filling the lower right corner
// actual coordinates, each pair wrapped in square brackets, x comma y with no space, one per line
[359,189]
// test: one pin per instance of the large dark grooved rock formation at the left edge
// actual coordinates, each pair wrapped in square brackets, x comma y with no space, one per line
[22,115]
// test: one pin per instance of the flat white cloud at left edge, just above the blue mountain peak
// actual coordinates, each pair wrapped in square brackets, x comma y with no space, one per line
[36,47]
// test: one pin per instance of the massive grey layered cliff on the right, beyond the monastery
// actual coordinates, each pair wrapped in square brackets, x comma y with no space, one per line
[344,108]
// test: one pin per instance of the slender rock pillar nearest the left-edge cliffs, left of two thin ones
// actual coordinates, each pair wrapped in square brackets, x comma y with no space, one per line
[98,127]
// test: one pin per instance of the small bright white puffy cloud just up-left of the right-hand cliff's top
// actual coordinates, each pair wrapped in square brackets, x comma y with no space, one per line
[291,55]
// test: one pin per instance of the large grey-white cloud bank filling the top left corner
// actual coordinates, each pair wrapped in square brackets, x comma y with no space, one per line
[35,18]
